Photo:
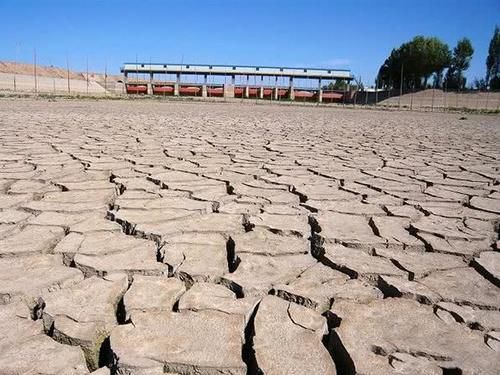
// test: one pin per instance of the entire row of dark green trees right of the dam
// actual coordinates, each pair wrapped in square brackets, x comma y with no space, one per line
[412,64]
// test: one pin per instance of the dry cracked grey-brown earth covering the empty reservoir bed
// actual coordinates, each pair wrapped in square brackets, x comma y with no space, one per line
[149,238]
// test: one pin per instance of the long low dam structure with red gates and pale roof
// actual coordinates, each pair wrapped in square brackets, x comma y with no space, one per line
[235,81]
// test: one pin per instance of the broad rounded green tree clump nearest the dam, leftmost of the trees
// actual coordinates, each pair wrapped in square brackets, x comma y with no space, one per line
[419,59]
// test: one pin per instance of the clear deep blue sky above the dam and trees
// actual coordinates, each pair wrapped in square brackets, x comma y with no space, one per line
[354,34]
